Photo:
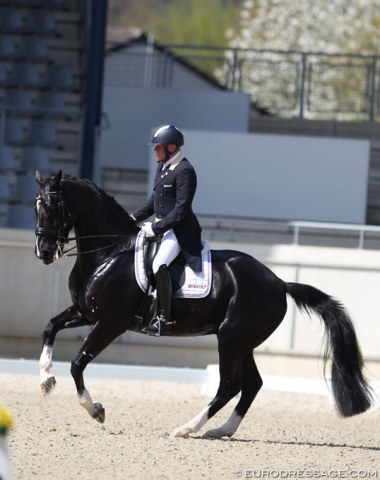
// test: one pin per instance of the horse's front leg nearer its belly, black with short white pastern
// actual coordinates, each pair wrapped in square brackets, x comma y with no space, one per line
[101,335]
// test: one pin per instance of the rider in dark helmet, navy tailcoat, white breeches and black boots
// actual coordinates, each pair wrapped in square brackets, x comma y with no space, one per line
[175,222]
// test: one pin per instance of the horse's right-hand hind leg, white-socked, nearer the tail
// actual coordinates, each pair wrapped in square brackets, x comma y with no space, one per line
[251,383]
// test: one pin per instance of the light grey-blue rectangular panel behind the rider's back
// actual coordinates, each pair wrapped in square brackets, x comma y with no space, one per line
[278,177]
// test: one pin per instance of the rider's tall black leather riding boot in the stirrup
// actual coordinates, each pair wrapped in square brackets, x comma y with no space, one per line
[164,299]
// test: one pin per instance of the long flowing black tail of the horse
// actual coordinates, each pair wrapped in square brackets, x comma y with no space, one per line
[351,392]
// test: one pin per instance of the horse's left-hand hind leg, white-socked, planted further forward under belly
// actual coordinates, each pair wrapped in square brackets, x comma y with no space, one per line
[229,386]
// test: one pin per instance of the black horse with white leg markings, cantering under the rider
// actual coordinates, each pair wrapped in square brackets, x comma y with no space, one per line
[246,304]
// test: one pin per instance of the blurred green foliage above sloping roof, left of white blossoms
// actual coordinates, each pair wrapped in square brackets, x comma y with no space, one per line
[191,23]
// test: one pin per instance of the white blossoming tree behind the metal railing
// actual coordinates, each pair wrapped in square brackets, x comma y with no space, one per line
[331,83]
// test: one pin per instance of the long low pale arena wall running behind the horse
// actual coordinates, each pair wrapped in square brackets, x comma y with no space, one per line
[31,293]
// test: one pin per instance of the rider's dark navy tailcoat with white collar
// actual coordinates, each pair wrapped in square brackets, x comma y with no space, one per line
[171,203]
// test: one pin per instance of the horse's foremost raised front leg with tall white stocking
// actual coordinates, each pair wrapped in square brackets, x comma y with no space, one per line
[69,318]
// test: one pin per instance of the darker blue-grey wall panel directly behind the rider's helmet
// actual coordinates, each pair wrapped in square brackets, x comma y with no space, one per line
[134,112]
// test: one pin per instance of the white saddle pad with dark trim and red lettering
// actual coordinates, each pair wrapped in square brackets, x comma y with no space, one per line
[186,283]
